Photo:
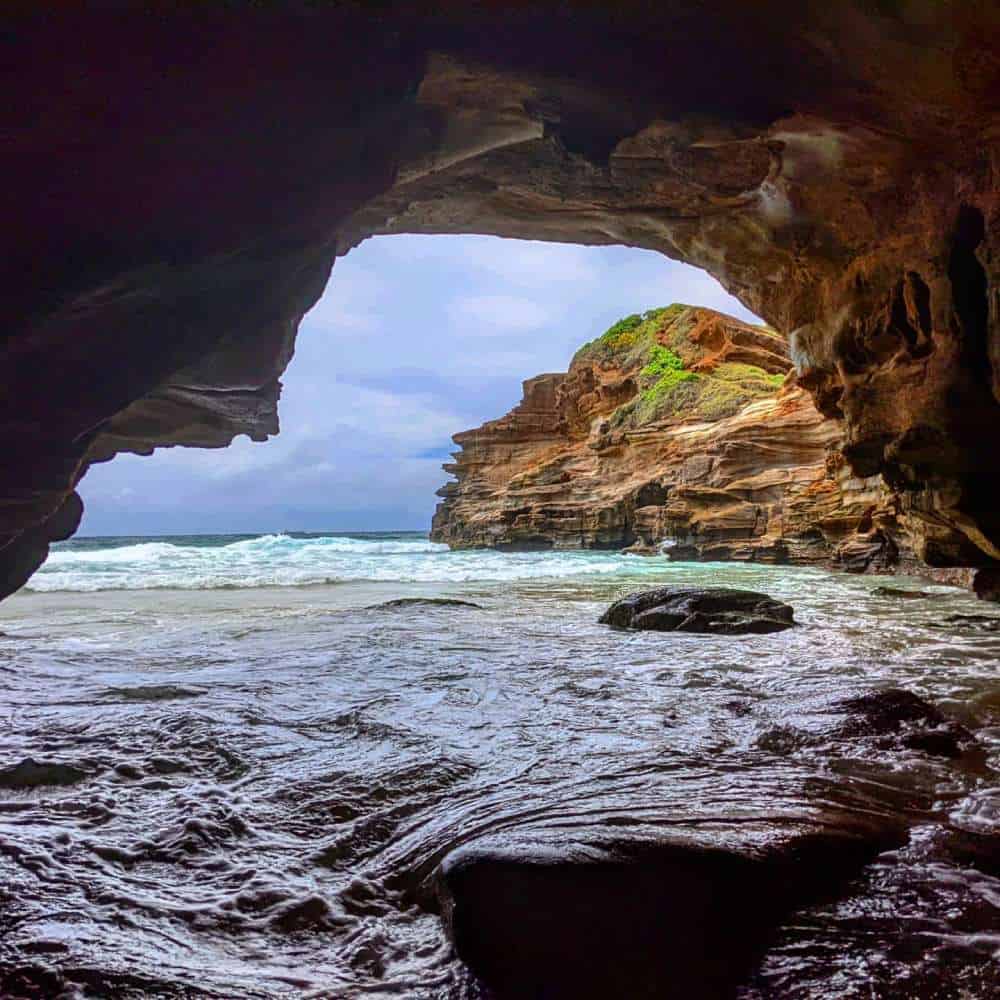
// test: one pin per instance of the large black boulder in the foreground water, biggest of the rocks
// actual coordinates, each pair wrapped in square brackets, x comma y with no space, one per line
[687,916]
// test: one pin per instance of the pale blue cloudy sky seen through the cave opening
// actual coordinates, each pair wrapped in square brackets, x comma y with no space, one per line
[415,339]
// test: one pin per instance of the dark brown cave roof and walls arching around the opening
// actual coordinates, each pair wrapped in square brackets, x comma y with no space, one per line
[180,185]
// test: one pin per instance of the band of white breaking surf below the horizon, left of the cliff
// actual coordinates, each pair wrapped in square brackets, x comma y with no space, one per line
[285,561]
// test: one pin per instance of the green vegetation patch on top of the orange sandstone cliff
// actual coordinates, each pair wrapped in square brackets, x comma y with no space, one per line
[657,343]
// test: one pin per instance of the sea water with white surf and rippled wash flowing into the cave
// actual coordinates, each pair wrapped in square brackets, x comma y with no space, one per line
[230,766]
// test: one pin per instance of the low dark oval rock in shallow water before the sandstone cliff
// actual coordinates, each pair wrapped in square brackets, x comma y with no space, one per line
[716,610]
